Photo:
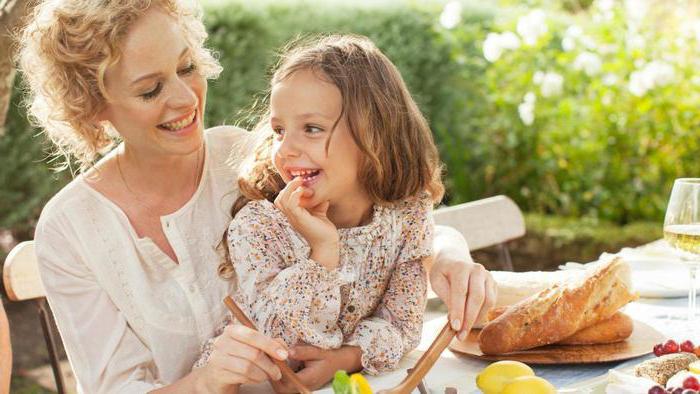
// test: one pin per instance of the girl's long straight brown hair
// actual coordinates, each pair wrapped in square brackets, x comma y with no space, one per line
[399,159]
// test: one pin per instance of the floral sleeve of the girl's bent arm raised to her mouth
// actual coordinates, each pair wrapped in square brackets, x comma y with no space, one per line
[285,293]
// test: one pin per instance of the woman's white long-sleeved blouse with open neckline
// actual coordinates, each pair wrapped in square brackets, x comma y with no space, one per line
[131,319]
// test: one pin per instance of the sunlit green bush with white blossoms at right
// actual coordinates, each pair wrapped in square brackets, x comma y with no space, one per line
[595,117]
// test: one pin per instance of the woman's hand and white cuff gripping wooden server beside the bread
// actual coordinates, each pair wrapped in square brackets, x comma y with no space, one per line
[466,287]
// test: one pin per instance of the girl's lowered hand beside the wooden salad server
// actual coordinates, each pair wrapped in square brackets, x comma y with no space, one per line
[320,365]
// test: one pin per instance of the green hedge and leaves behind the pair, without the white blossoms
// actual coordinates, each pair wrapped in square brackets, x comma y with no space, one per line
[470,103]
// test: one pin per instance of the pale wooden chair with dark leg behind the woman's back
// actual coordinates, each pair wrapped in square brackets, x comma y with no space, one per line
[22,282]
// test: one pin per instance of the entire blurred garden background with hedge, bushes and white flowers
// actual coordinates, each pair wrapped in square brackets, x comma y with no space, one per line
[582,111]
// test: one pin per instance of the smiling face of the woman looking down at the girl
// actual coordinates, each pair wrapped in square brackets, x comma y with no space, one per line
[157,94]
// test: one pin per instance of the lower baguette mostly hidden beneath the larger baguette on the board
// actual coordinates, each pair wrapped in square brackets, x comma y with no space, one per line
[615,329]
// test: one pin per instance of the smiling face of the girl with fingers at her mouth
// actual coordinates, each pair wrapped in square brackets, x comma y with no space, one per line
[304,109]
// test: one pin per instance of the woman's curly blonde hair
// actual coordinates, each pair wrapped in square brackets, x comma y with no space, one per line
[64,50]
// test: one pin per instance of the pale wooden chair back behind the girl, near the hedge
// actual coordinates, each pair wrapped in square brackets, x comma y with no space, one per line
[487,222]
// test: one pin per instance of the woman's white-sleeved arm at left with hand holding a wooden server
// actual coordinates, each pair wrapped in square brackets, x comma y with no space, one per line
[107,356]
